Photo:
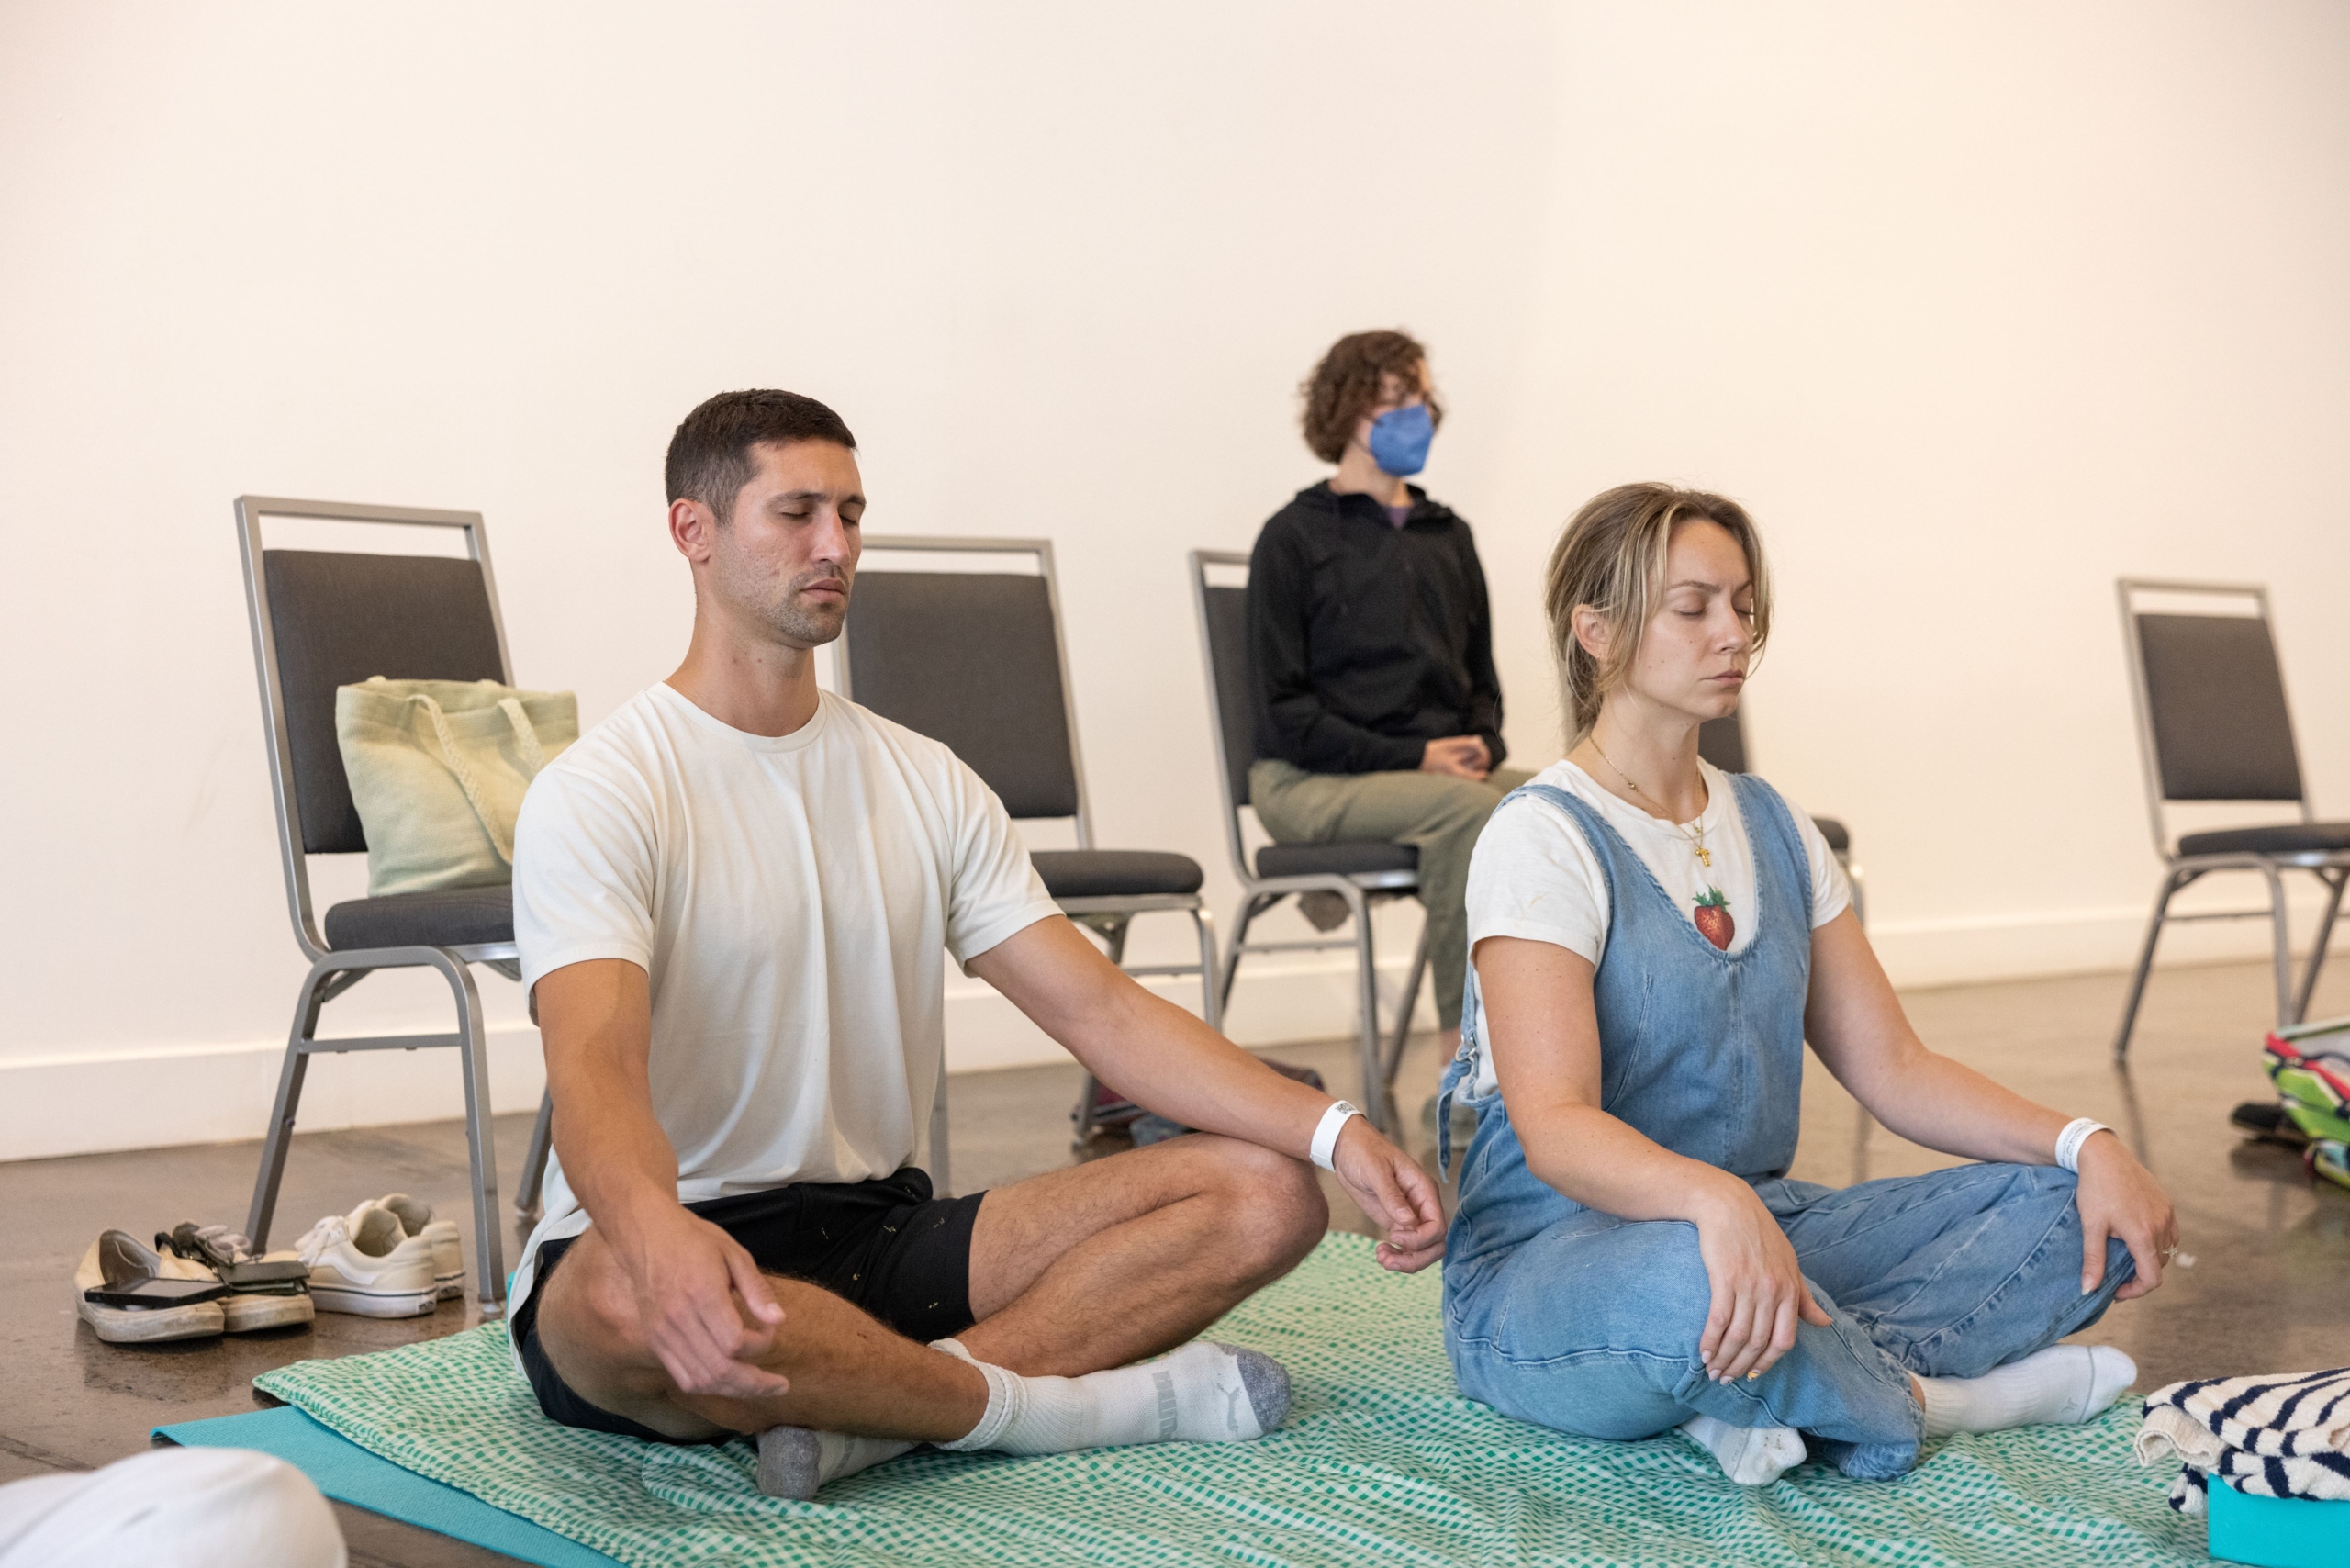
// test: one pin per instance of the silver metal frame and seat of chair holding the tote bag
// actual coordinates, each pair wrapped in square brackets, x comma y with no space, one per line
[314,826]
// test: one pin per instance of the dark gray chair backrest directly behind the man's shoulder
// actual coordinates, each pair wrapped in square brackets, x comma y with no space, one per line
[974,662]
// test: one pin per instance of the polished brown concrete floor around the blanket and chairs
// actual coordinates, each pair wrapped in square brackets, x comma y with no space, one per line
[2269,1289]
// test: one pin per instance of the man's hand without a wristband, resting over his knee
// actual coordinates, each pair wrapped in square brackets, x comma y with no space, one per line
[701,1304]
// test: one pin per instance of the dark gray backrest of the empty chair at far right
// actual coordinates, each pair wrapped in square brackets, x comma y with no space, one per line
[2215,709]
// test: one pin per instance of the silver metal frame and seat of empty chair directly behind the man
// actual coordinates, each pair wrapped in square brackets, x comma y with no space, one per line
[1110,909]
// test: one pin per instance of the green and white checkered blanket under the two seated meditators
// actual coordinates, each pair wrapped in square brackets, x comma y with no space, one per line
[1381,1463]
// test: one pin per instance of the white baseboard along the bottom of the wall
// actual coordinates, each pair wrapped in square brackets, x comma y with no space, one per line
[86,1104]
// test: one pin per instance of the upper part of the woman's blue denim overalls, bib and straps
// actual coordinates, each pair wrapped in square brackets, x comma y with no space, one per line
[1700,1050]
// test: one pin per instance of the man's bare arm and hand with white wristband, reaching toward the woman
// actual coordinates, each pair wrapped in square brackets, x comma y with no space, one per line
[1162,1057]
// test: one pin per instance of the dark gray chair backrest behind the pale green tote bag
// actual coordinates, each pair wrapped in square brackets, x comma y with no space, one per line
[340,619]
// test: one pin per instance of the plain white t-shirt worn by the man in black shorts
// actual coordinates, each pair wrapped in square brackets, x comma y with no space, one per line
[788,899]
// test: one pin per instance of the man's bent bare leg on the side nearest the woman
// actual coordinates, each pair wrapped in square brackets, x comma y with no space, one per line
[1129,1257]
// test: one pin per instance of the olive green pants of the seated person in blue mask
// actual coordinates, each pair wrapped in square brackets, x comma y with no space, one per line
[1432,812]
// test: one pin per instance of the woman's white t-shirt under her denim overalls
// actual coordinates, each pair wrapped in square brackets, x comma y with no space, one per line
[1533,873]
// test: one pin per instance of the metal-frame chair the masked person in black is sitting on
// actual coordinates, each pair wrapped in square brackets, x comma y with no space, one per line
[1359,873]
